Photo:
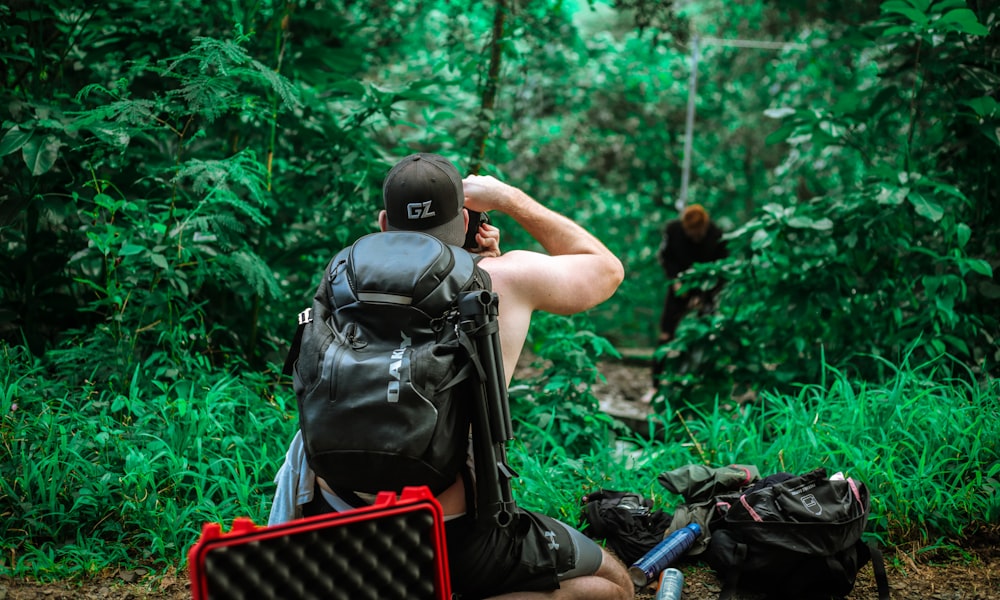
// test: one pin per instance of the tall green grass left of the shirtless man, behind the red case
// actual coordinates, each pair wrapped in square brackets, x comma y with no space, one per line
[92,478]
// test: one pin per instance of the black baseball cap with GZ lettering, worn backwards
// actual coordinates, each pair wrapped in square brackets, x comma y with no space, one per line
[423,192]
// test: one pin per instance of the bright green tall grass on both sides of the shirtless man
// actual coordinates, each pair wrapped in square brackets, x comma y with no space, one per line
[92,479]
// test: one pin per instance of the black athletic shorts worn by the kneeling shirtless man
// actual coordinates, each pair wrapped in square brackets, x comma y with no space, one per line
[533,553]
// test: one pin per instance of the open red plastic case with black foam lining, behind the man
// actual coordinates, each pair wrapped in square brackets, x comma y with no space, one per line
[392,549]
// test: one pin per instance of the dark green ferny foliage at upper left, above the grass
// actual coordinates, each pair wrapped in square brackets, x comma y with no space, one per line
[186,181]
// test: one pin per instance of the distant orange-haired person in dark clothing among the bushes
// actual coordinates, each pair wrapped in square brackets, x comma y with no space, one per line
[693,238]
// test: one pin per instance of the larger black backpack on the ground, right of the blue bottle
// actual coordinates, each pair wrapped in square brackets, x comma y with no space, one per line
[793,537]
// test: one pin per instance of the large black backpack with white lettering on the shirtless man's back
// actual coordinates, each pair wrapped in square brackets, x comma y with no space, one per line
[382,371]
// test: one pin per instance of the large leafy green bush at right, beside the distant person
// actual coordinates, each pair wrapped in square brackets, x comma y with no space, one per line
[900,250]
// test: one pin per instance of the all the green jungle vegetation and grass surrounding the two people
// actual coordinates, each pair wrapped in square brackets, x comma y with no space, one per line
[174,175]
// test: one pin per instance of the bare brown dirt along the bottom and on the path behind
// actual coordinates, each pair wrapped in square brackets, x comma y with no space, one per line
[911,576]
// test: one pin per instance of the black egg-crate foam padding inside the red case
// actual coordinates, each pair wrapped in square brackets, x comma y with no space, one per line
[382,558]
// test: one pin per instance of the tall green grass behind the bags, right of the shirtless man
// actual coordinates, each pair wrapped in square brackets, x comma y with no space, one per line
[929,449]
